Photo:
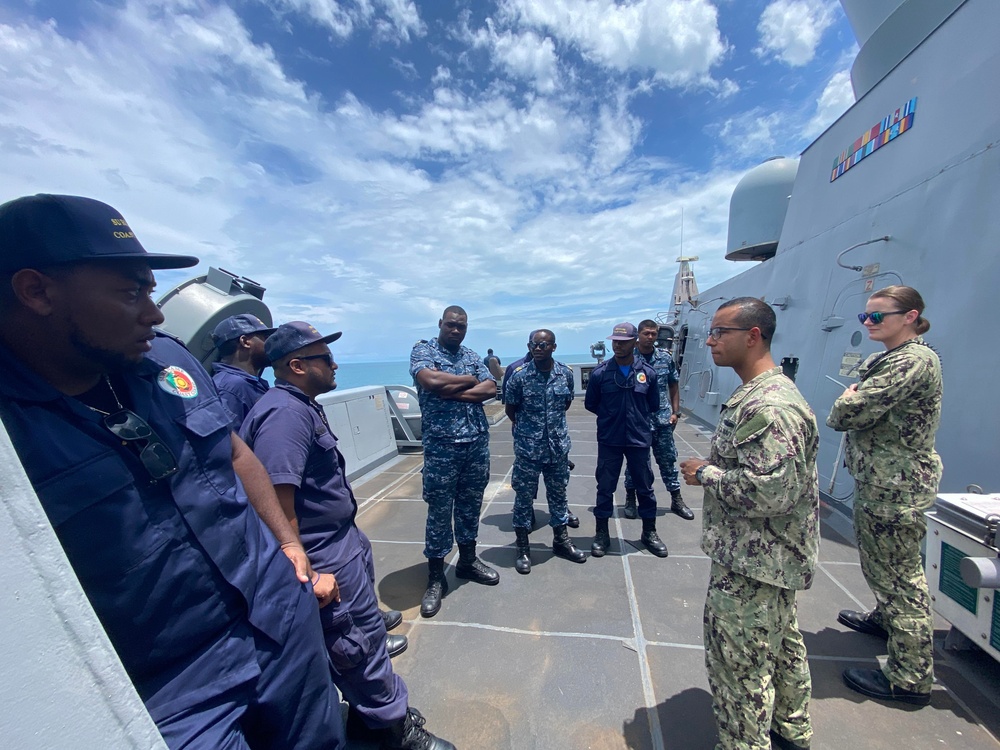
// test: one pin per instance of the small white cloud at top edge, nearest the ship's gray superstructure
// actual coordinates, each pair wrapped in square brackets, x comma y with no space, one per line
[791,30]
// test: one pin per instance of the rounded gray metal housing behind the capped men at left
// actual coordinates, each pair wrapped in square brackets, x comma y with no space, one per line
[195,307]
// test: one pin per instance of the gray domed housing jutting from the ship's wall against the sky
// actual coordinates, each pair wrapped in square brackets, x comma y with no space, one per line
[757,209]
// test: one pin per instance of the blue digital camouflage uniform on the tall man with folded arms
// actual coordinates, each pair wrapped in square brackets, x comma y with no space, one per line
[456,450]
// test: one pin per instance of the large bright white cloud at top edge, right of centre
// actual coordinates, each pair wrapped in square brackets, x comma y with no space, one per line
[678,40]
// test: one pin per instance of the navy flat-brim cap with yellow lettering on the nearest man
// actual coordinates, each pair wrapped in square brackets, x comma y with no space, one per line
[48,230]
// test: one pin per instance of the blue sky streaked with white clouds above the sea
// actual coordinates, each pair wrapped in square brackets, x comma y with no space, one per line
[372,161]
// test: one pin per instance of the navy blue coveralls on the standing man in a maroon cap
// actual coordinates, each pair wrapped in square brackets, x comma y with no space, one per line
[623,404]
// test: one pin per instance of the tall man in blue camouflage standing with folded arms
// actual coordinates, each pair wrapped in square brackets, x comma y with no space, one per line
[452,384]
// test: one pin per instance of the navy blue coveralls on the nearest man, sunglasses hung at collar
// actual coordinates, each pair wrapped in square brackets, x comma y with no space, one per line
[221,640]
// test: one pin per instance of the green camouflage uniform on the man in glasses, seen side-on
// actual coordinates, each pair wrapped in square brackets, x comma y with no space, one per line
[761,531]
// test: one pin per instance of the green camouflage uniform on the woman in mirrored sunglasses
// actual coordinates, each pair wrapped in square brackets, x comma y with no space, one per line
[890,424]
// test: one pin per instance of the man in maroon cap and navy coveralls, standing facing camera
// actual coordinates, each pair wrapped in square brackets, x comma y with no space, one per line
[623,393]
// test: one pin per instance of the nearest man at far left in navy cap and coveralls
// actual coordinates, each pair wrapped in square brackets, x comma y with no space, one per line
[123,436]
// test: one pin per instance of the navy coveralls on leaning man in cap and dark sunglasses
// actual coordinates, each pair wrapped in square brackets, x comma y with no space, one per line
[289,433]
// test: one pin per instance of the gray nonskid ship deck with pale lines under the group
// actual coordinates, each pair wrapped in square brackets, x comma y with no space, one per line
[609,654]
